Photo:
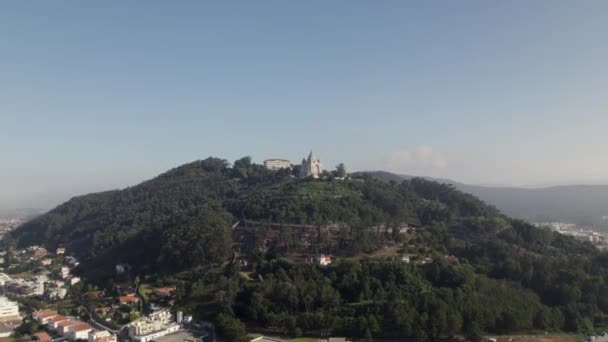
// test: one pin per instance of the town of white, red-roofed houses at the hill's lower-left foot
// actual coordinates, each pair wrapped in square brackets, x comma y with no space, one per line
[42,300]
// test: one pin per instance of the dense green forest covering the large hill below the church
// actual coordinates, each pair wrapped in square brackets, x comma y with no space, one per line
[503,275]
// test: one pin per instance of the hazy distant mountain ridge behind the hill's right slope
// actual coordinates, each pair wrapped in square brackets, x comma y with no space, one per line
[580,204]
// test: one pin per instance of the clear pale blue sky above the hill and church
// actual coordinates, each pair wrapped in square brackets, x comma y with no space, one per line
[103,95]
